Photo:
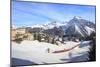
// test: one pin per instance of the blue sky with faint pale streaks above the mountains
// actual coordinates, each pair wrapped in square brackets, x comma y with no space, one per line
[30,13]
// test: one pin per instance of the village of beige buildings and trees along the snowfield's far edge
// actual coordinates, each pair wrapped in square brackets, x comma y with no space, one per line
[27,33]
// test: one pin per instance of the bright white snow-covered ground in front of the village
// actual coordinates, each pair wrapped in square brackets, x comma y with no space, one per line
[37,53]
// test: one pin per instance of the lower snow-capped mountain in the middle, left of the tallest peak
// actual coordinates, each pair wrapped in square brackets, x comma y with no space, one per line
[55,28]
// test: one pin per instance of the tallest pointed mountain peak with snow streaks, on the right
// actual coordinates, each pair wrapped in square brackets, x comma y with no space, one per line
[80,27]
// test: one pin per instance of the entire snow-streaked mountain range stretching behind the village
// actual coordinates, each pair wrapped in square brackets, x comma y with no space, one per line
[77,27]
